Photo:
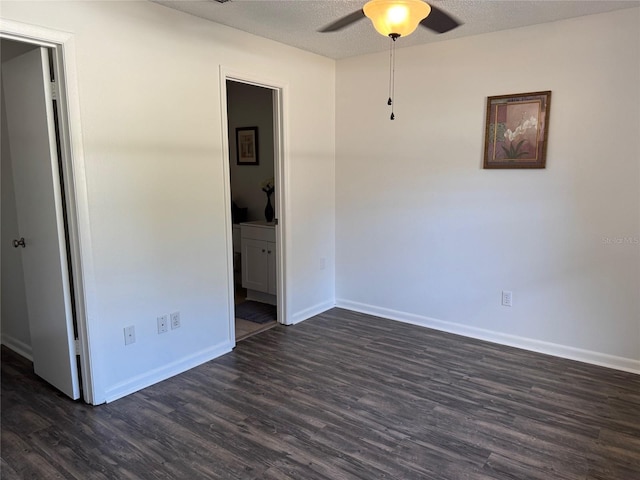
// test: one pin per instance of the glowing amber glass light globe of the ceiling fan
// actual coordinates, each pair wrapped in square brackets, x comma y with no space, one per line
[397,17]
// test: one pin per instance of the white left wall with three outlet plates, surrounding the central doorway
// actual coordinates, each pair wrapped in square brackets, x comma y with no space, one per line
[150,109]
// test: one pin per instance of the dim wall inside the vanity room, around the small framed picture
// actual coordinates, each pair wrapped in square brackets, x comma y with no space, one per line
[251,106]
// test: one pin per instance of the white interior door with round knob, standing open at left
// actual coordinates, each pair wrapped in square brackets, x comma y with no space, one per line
[29,107]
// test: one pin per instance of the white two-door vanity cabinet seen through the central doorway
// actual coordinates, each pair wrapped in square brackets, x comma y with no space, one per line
[258,251]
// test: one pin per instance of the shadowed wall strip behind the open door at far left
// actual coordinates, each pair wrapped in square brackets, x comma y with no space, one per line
[15,320]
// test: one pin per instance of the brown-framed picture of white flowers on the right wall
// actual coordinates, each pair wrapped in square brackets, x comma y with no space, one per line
[516,130]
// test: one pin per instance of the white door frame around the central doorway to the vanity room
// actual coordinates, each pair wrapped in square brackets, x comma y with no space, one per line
[280,157]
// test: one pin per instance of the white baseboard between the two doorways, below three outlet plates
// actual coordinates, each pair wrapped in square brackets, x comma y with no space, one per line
[154,376]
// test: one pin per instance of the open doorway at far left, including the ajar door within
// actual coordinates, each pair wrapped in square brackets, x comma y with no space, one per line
[42,306]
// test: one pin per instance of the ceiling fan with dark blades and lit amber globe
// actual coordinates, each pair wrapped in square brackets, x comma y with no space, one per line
[396,18]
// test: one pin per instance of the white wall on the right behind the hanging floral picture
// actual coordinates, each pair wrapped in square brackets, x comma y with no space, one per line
[425,235]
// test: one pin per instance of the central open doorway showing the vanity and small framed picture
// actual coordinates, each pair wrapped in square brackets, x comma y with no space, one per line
[252,156]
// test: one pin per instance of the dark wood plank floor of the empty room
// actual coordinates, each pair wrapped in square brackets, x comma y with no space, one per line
[340,396]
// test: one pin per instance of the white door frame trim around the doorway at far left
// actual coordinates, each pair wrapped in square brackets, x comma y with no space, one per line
[75,186]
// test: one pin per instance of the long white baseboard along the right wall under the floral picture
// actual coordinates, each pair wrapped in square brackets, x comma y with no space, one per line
[563,351]
